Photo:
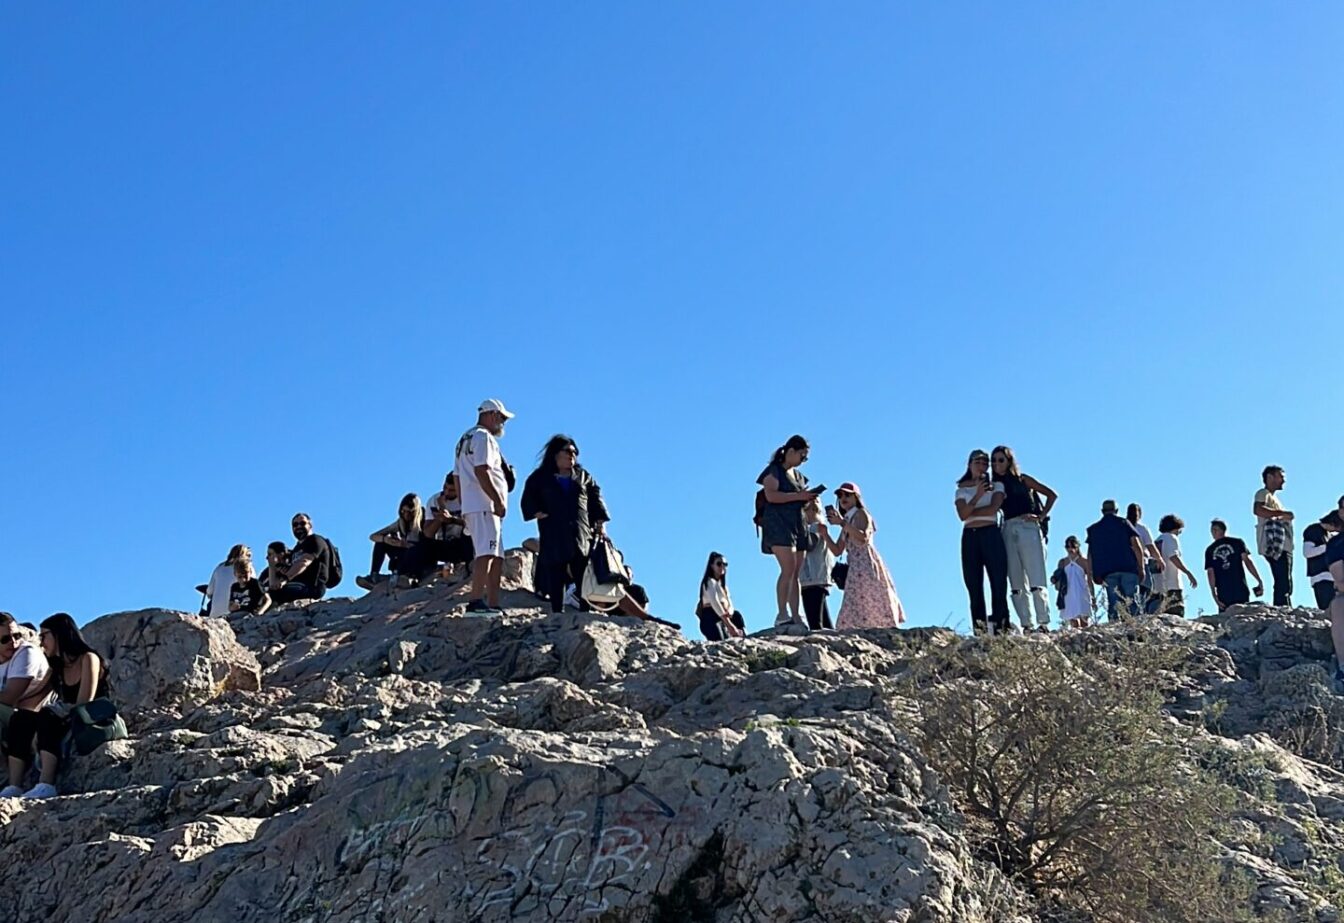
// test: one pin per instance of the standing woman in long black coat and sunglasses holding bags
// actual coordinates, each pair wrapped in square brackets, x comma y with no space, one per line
[569,511]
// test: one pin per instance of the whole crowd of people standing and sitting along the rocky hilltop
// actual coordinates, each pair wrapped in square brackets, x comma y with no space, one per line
[48,685]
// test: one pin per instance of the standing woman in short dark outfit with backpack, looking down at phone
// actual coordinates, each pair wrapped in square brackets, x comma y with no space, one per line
[784,534]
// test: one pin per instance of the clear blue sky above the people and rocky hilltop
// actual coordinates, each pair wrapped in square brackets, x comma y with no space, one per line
[259,259]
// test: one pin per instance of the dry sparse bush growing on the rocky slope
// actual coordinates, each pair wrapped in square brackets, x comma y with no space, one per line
[1075,784]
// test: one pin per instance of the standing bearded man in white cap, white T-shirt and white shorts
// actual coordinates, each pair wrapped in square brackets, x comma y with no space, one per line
[485,490]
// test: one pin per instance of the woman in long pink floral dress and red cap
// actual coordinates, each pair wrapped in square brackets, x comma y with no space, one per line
[870,596]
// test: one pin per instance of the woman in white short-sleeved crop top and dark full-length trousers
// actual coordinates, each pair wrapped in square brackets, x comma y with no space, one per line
[978,500]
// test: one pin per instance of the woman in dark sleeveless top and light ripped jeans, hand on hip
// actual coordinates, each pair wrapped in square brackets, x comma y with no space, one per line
[1023,537]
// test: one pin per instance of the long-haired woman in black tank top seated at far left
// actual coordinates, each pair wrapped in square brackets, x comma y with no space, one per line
[77,676]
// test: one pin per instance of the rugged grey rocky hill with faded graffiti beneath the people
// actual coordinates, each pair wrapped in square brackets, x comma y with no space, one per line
[389,760]
